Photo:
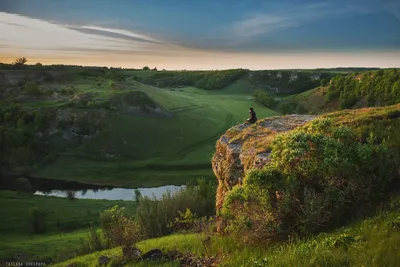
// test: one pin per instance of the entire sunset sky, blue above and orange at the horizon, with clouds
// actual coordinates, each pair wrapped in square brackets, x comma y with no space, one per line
[202,34]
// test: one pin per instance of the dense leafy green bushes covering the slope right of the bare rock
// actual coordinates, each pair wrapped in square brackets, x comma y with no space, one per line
[320,174]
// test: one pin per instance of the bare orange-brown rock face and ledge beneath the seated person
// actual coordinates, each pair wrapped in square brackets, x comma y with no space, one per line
[246,146]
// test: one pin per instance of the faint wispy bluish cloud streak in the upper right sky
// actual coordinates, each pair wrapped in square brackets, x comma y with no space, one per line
[261,24]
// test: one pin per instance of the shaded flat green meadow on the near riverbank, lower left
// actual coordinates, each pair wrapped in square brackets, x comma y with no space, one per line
[67,222]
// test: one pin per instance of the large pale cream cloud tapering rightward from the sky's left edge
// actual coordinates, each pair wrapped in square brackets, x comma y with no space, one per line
[25,34]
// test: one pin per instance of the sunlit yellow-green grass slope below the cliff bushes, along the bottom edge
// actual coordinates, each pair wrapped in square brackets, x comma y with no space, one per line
[372,242]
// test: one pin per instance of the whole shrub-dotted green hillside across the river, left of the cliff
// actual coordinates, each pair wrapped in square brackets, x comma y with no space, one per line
[108,126]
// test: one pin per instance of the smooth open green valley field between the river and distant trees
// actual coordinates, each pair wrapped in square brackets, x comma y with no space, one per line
[157,150]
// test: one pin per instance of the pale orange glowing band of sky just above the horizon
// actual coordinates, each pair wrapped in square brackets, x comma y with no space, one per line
[221,60]
